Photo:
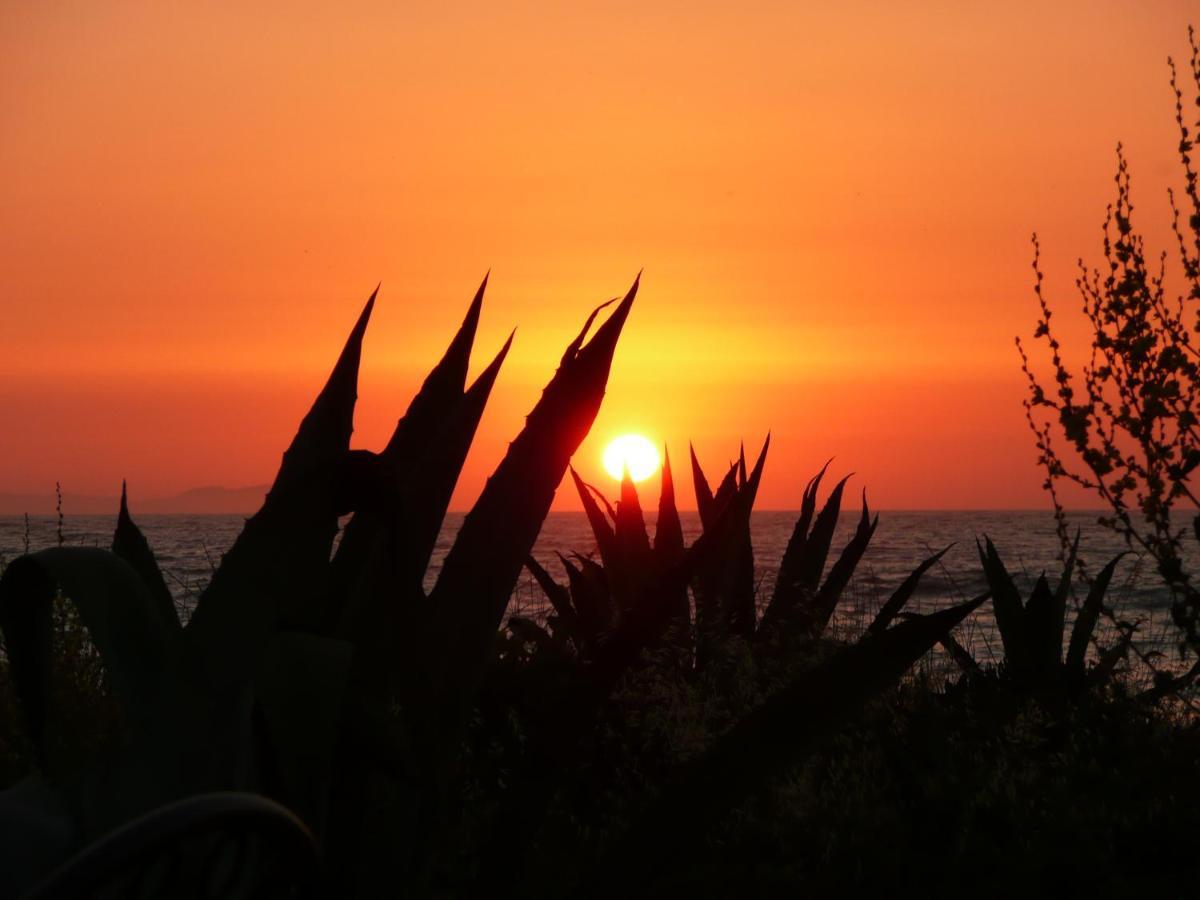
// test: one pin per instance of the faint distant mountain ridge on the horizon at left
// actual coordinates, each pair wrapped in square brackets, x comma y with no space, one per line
[200,501]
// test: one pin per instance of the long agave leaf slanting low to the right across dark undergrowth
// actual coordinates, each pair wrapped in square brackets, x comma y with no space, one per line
[770,740]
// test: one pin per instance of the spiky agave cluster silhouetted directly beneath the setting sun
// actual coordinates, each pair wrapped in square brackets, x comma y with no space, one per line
[610,602]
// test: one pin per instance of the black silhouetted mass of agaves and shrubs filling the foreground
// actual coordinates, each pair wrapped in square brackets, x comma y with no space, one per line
[670,729]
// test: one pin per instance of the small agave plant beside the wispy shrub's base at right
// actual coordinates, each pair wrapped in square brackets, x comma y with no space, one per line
[1033,632]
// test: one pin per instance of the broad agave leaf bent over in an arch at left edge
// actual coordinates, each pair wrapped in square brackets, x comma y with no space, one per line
[123,621]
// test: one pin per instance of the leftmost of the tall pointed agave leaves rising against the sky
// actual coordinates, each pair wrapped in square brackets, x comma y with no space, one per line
[275,574]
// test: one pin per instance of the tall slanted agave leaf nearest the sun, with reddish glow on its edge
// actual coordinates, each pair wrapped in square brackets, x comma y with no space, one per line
[482,568]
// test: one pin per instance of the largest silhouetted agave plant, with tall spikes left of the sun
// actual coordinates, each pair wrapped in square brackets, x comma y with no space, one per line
[337,686]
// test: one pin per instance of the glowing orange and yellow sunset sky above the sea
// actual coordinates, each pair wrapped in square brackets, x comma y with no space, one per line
[832,203]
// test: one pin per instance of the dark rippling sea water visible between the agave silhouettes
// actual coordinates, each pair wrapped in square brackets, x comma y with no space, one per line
[190,547]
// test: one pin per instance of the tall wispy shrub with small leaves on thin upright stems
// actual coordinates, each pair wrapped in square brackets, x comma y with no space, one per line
[1130,413]
